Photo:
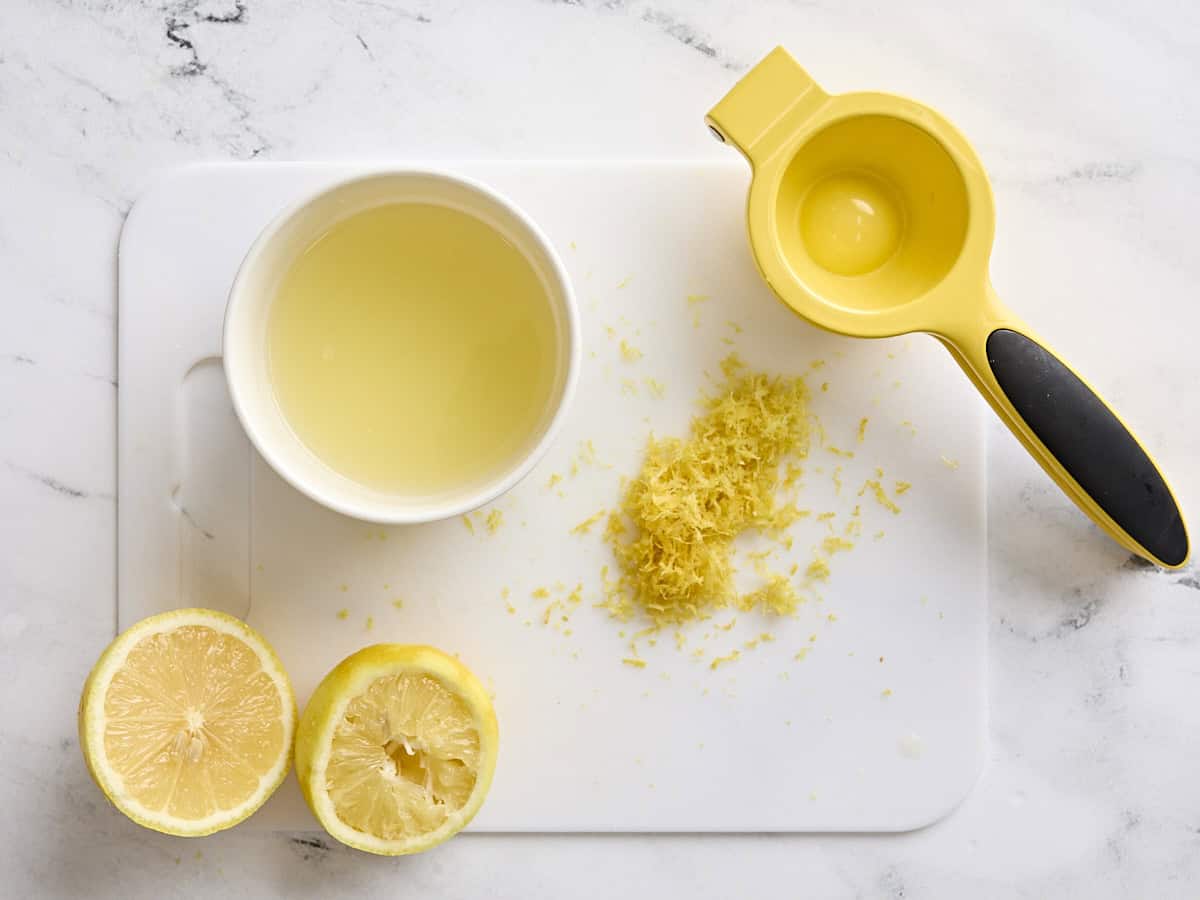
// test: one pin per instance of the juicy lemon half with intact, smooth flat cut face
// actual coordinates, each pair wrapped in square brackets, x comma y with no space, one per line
[187,722]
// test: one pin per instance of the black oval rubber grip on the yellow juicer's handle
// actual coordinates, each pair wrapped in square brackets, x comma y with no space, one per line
[1090,442]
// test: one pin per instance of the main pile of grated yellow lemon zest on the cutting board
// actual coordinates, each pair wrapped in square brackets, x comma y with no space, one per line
[694,496]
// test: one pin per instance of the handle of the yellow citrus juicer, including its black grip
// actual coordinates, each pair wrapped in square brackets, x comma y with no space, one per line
[1076,437]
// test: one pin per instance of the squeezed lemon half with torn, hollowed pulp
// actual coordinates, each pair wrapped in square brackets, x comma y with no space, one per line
[397,749]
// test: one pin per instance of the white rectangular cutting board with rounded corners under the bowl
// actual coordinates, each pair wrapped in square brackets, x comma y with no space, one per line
[880,728]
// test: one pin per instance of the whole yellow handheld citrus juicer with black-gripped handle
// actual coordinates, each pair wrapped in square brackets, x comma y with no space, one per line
[872,217]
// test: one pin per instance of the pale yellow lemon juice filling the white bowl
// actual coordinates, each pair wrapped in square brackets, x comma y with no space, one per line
[413,350]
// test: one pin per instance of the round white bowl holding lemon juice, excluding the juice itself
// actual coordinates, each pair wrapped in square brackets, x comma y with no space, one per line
[245,339]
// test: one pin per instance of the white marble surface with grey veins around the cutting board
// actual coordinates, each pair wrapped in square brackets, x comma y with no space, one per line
[1089,119]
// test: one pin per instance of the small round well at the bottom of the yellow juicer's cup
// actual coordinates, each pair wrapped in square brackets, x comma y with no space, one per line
[850,223]
